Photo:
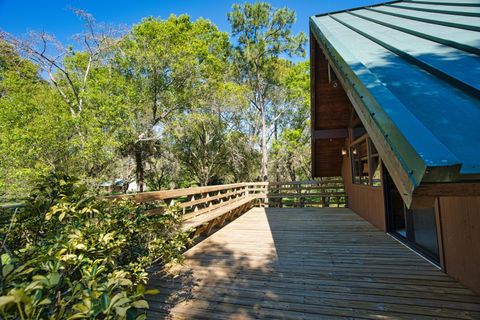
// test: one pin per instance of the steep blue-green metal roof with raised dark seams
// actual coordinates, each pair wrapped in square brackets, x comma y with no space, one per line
[419,61]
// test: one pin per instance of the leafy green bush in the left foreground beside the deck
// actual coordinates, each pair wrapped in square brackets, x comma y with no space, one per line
[69,255]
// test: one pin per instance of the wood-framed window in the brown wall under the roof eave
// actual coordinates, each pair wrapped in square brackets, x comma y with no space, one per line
[365,163]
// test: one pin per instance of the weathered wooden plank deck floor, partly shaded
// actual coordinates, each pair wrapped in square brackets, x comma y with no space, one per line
[307,263]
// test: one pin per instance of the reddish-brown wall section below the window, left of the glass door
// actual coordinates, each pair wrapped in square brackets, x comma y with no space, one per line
[368,202]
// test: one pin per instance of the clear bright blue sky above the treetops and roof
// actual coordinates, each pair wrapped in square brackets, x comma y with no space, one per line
[18,17]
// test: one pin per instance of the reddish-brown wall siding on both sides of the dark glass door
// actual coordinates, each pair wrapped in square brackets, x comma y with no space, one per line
[458,226]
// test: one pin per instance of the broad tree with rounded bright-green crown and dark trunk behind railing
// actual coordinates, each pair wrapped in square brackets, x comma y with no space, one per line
[169,64]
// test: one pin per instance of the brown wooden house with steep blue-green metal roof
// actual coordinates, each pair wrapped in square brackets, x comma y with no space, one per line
[396,112]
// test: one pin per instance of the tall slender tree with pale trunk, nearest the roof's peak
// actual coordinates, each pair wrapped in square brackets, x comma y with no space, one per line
[262,36]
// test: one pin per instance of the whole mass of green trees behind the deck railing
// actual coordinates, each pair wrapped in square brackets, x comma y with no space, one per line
[107,110]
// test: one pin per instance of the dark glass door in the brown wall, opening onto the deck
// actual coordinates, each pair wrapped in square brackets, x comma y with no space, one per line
[415,227]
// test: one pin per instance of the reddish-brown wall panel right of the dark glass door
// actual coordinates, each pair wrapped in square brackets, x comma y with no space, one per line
[460,223]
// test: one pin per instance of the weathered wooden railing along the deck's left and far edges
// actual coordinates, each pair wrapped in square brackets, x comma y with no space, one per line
[207,207]
